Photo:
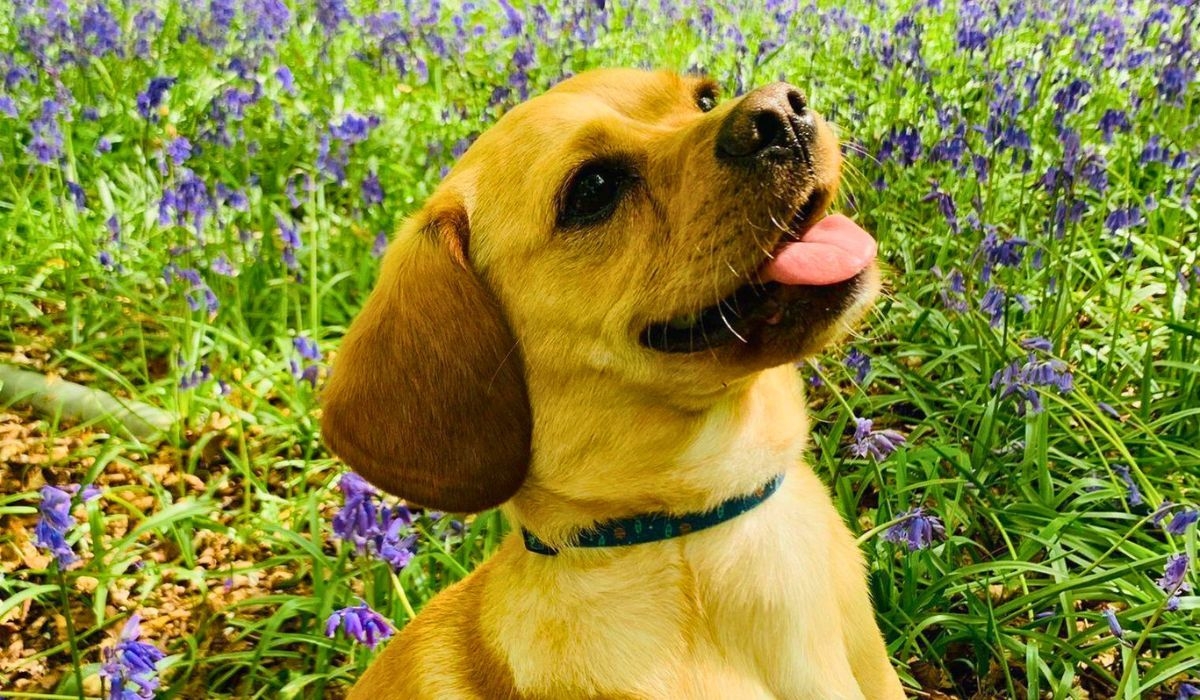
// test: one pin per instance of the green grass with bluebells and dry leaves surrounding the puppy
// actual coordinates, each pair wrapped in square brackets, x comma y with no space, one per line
[226,525]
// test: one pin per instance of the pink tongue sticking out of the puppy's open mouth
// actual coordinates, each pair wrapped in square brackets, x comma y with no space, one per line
[835,250]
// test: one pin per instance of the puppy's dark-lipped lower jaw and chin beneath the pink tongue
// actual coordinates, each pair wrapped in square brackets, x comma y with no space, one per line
[766,325]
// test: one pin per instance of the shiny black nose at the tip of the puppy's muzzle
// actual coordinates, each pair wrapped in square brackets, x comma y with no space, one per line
[771,124]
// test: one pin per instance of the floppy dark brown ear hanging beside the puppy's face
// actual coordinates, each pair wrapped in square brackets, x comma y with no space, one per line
[428,396]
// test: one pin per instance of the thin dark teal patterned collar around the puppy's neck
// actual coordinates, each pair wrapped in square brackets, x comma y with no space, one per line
[658,527]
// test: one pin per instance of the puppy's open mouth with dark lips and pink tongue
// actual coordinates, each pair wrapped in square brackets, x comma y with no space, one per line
[814,265]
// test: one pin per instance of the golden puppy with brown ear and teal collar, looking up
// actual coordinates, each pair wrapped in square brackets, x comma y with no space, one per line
[593,322]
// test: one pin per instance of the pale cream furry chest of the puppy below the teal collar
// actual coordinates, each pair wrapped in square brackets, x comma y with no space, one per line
[731,612]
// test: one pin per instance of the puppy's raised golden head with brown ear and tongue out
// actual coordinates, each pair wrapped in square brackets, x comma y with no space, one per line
[628,229]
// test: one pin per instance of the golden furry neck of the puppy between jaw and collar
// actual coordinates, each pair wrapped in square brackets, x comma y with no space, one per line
[674,462]
